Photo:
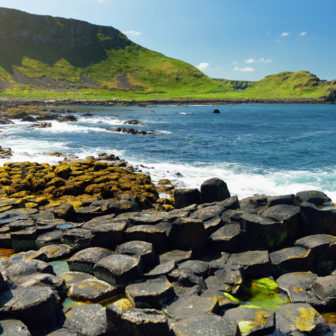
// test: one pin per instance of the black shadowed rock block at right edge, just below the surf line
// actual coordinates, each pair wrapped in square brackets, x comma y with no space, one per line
[317,221]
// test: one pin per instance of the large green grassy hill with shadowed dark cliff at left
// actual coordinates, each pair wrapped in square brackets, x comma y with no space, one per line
[63,55]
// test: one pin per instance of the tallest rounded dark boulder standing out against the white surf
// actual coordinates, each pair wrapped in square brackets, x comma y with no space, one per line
[214,190]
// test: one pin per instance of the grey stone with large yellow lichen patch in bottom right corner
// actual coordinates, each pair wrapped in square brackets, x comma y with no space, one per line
[300,319]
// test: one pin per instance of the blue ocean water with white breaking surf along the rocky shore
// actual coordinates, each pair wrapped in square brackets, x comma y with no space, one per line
[255,149]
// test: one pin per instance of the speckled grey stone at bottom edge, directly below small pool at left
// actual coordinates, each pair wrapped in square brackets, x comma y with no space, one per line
[87,320]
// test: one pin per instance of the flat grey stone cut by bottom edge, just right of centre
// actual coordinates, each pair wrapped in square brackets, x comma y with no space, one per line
[210,325]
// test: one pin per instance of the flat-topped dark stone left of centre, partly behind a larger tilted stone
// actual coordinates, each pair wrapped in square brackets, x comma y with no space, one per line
[143,250]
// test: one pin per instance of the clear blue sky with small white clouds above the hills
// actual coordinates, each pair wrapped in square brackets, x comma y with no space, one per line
[231,39]
